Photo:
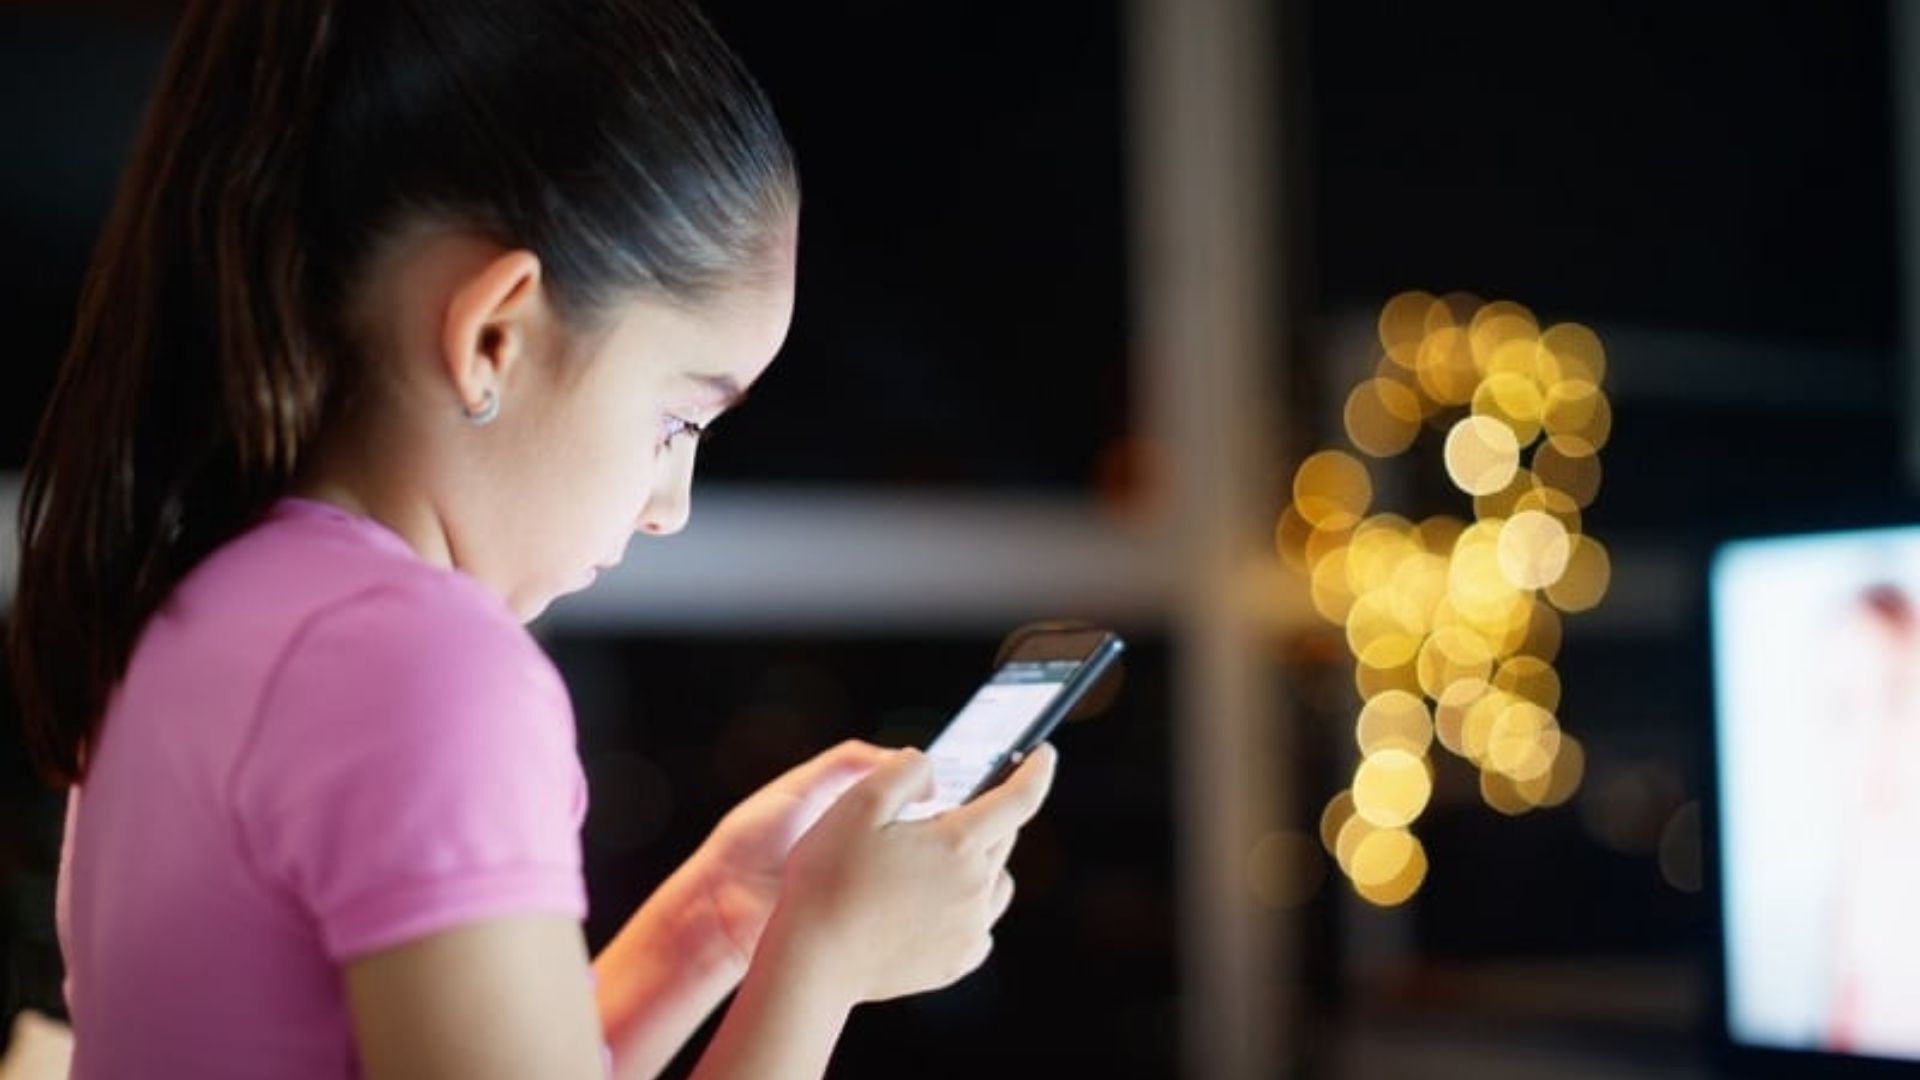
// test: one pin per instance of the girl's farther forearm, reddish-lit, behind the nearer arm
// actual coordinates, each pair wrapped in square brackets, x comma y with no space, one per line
[661,977]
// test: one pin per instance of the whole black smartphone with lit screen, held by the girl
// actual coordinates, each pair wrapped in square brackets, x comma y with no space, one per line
[1036,687]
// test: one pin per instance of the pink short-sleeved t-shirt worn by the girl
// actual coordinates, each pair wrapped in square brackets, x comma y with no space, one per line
[322,747]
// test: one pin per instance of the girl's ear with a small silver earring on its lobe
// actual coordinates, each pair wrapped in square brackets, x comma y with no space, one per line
[492,318]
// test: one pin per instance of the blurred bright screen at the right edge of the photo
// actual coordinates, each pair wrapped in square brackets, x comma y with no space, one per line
[1817,675]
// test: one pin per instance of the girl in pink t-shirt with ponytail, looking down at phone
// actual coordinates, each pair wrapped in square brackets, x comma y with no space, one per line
[406,318]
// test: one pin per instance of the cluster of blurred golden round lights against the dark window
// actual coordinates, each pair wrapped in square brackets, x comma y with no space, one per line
[1454,626]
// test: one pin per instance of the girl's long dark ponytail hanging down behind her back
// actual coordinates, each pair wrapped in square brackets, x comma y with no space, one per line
[189,387]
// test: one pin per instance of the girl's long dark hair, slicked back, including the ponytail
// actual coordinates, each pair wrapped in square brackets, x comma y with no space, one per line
[617,139]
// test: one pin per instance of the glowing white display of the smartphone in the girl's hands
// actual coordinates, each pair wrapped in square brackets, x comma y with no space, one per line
[986,729]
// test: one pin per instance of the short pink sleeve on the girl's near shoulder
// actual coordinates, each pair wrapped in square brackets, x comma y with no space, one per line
[414,768]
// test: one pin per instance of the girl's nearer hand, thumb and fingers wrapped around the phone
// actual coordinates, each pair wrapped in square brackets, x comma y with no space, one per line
[896,908]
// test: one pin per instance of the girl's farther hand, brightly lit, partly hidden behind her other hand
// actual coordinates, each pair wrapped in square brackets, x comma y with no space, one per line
[742,864]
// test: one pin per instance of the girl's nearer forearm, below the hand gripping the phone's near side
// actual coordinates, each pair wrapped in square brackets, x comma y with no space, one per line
[786,1018]
